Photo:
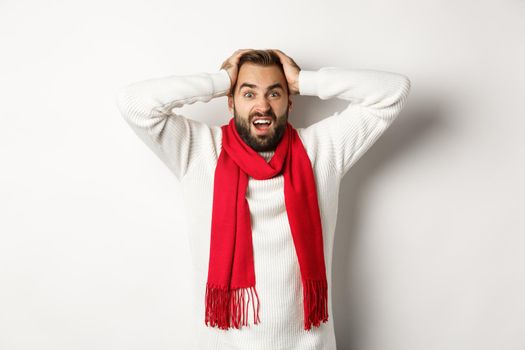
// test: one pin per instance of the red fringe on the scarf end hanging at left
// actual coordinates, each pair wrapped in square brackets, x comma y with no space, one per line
[228,308]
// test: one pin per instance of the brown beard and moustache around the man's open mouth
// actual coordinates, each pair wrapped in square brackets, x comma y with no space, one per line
[261,143]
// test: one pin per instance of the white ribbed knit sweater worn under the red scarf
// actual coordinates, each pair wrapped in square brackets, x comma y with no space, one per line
[191,148]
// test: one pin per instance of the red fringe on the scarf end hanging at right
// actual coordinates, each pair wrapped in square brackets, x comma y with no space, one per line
[315,296]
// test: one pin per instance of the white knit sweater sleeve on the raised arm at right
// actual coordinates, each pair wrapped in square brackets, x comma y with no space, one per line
[376,98]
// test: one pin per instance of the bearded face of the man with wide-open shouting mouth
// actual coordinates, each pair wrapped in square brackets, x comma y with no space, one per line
[260,106]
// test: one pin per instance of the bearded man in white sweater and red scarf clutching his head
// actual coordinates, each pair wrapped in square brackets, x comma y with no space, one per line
[261,196]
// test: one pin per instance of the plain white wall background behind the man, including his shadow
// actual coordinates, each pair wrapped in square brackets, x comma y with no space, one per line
[430,237]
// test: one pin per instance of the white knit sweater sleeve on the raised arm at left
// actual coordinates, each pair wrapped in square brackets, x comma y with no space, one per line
[178,141]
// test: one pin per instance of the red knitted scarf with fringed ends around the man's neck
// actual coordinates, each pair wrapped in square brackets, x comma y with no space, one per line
[231,273]
